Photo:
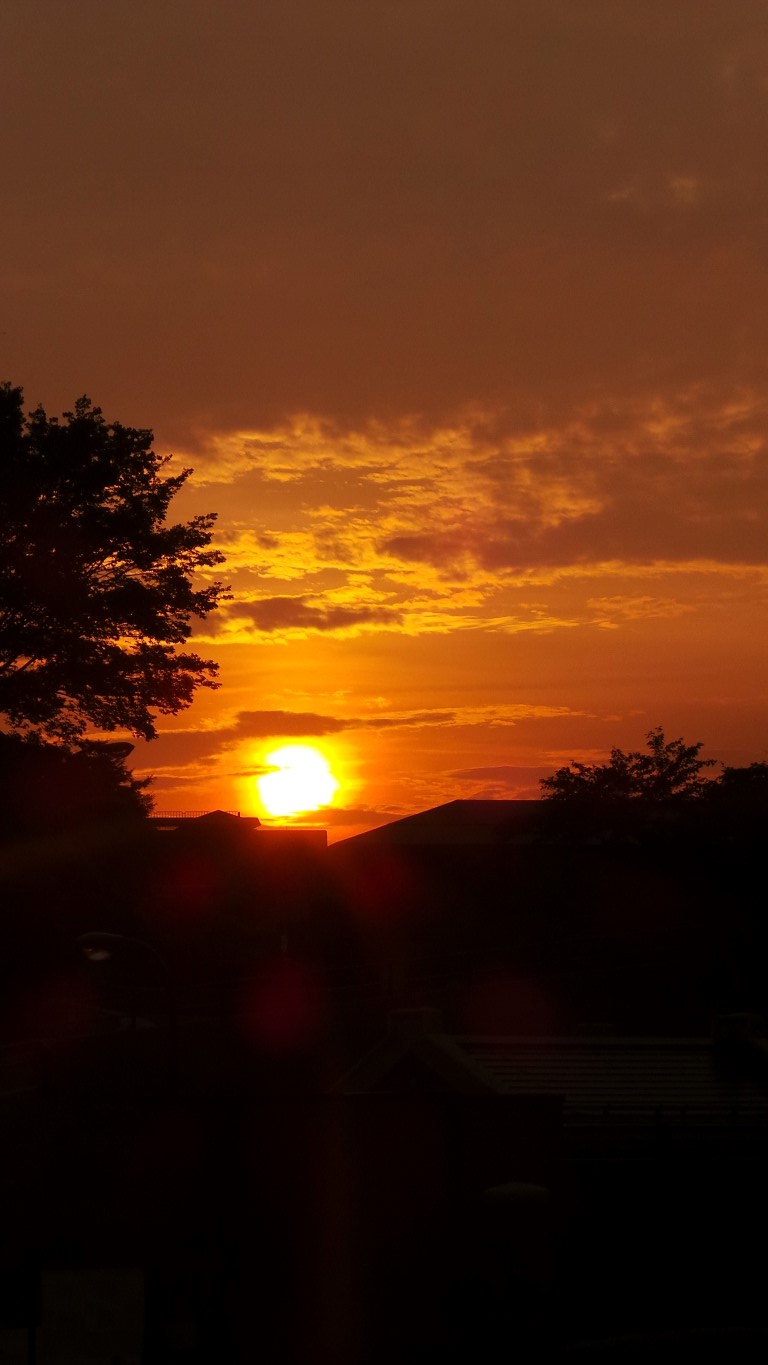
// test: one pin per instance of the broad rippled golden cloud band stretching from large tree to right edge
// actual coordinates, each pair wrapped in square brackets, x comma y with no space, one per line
[425,532]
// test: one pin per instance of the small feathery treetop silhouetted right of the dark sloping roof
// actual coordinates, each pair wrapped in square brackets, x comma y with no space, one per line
[669,771]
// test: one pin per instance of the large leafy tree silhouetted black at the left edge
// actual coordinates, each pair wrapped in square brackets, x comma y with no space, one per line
[98,590]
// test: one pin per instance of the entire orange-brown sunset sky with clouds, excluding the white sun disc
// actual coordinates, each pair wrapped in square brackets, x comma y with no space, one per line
[459,311]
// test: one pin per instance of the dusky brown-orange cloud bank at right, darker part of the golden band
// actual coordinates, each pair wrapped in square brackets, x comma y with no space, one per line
[685,480]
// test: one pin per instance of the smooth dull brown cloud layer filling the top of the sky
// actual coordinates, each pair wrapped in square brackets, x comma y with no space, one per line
[385,210]
